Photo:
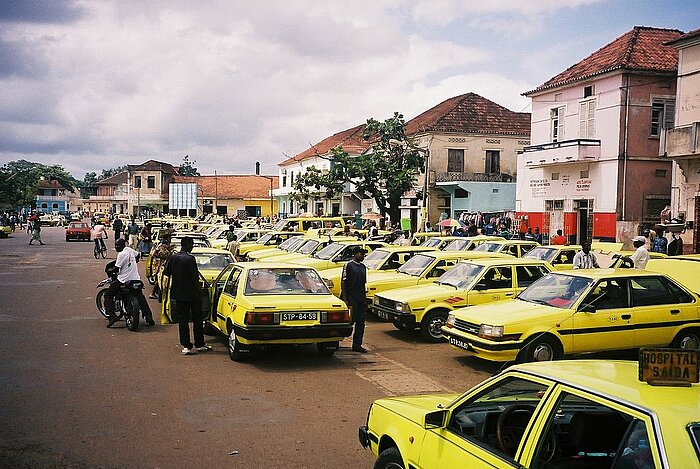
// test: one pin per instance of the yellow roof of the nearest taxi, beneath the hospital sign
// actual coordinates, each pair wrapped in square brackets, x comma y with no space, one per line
[619,379]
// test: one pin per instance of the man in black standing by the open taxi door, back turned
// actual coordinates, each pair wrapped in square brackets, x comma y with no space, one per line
[185,297]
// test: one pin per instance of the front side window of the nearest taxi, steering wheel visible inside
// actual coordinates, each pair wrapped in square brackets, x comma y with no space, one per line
[510,405]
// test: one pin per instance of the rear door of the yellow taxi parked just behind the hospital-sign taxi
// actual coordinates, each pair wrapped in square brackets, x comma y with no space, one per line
[659,306]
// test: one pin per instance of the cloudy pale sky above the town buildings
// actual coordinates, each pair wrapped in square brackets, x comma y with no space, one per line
[96,84]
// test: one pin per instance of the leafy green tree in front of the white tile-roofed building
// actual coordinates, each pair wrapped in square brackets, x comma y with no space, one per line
[384,172]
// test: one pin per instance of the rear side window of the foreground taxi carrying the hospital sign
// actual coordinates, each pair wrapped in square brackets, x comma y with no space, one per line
[583,433]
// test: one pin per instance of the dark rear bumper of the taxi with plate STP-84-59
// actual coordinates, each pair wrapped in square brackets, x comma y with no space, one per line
[271,334]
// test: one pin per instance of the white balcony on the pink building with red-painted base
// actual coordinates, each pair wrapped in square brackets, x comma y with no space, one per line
[567,151]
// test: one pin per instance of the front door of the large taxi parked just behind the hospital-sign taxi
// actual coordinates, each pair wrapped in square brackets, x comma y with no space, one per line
[603,320]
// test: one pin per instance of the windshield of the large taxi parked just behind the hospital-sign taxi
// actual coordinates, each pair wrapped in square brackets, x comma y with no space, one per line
[558,290]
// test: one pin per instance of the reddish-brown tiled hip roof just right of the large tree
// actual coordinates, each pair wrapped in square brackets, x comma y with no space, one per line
[470,113]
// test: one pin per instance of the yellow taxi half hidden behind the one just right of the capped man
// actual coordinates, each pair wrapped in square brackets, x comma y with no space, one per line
[421,269]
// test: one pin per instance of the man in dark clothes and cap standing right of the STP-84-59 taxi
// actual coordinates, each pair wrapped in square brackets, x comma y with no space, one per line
[353,292]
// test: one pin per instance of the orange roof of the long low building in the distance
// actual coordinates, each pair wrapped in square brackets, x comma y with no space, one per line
[232,186]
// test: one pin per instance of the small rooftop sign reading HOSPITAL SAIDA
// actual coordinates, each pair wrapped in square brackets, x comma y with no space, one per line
[669,367]
